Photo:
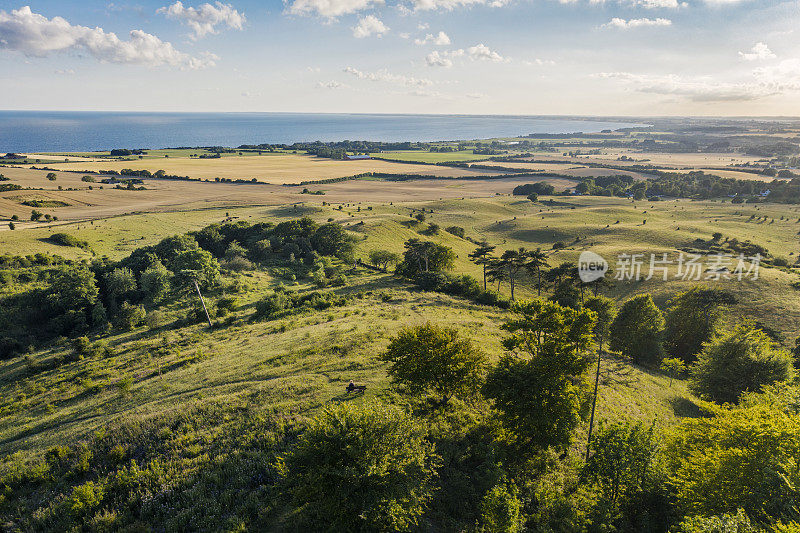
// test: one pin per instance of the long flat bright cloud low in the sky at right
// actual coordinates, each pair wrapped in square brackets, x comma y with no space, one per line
[696,90]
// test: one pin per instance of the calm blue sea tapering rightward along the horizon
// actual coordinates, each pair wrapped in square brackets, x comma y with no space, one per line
[50,131]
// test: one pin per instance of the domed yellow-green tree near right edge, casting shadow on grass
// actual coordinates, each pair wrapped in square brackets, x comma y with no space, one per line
[742,360]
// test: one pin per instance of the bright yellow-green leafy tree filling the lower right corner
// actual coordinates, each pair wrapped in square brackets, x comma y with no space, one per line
[745,457]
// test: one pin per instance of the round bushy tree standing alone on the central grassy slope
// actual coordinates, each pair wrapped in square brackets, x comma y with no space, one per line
[434,359]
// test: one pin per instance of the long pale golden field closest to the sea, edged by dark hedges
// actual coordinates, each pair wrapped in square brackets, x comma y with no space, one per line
[274,168]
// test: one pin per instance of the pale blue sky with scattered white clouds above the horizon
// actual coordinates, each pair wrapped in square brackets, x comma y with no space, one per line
[598,57]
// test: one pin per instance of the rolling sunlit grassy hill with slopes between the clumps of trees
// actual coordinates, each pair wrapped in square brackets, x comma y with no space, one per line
[176,416]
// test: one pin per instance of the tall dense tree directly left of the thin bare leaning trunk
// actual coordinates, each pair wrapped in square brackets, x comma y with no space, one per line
[539,387]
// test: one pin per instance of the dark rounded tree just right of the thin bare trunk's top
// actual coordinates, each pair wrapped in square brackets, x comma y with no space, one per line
[636,330]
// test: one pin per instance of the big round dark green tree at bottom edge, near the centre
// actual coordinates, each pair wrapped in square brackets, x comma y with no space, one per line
[361,468]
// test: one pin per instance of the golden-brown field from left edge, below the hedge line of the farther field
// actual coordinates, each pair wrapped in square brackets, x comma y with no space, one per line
[103,201]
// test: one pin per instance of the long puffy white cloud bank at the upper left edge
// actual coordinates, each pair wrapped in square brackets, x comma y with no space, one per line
[35,35]
